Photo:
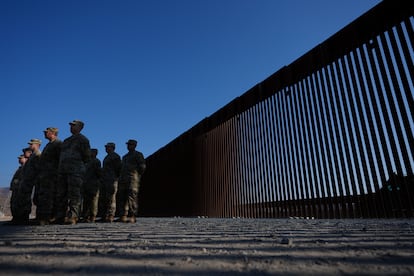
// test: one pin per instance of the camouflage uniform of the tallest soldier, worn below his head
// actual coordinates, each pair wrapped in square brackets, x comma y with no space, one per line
[75,153]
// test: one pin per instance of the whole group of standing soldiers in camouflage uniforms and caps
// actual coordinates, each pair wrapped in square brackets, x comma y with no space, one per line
[67,183]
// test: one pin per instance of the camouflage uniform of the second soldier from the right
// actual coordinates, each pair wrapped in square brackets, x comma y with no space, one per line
[111,171]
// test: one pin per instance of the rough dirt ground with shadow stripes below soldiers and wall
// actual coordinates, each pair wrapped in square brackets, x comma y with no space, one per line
[206,246]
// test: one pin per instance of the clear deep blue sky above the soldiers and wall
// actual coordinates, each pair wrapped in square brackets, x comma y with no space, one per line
[145,69]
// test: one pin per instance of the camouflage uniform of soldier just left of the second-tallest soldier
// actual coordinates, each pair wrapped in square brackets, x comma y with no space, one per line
[29,182]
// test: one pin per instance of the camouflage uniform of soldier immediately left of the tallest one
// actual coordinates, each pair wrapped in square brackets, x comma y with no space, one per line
[48,176]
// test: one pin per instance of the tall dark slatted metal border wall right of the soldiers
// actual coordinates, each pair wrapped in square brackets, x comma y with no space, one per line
[328,136]
